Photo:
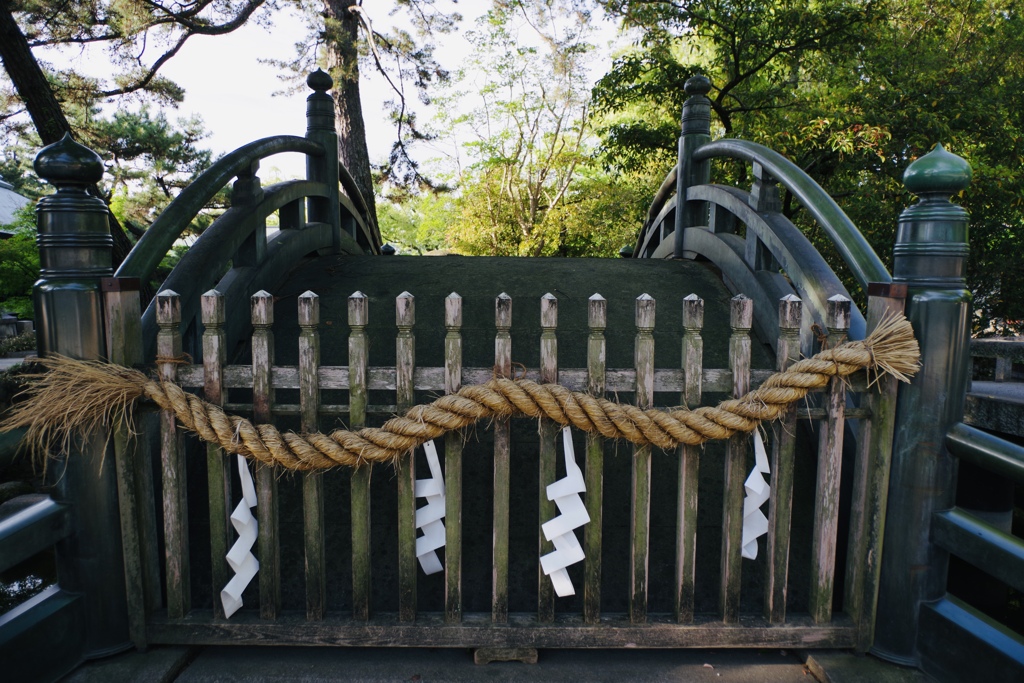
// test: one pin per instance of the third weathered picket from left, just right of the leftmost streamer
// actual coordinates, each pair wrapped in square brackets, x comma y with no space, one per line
[267,482]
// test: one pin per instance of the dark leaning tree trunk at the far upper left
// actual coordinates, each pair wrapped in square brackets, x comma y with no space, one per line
[35,92]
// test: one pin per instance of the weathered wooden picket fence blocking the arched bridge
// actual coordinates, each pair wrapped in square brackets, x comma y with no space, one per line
[168,617]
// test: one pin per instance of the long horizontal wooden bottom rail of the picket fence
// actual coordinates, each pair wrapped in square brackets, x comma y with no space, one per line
[523,631]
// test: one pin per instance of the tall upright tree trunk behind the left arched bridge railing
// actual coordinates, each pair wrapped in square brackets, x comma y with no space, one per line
[344,65]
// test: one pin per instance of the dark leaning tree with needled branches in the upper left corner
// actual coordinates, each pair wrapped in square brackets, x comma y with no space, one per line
[131,30]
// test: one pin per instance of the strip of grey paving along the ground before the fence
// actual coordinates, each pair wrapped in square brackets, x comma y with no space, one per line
[298,665]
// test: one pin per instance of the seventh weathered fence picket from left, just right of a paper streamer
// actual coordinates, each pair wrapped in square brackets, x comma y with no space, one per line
[453,465]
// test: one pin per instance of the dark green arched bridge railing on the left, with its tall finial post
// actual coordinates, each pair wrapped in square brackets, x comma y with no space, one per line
[315,218]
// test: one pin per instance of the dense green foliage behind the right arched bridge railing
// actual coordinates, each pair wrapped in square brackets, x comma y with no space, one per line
[852,93]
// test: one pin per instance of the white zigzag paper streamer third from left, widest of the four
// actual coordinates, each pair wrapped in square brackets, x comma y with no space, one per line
[566,494]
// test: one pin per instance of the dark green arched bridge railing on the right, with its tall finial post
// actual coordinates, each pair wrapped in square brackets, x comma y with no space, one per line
[775,260]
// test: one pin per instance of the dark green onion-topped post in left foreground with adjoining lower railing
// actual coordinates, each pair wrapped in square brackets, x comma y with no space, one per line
[75,254]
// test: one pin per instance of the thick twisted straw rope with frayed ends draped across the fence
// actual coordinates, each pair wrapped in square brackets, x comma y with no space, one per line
[77,396]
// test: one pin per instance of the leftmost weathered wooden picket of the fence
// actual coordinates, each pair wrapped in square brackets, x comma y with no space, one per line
[174,462]
